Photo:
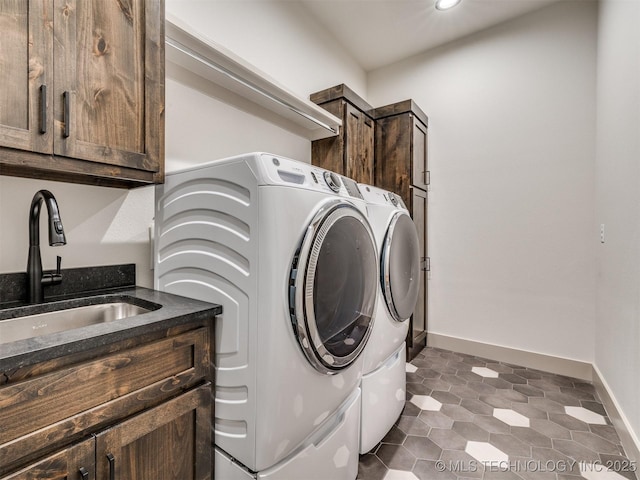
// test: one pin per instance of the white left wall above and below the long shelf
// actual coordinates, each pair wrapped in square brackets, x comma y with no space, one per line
[278,37]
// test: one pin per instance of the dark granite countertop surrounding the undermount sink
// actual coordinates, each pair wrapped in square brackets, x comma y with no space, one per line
[174,311]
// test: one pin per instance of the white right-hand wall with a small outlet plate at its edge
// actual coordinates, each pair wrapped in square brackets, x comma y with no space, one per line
[617,345]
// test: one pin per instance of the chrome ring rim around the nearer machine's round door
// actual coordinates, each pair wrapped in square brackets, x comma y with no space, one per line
[302,277]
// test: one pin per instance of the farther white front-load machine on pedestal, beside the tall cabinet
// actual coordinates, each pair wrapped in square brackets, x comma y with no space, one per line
[384,377]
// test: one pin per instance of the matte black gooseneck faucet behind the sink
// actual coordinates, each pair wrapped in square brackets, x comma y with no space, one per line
[36,281]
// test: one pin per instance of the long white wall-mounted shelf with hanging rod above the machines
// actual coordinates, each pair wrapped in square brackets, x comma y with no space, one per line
[199,55]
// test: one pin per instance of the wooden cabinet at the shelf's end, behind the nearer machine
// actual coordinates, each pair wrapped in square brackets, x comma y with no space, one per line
[351,153]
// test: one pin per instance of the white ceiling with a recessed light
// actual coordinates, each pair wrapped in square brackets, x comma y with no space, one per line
[380,32]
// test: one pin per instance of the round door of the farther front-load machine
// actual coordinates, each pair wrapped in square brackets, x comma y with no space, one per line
[400,266]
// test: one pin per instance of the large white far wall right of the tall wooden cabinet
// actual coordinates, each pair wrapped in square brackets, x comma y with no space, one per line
[511,214]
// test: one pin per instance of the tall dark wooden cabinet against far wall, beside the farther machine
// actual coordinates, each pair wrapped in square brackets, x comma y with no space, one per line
[401,166]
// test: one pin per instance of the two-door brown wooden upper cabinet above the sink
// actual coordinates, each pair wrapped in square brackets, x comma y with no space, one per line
[83,91]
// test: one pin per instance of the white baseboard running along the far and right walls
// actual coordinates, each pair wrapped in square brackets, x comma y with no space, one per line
[550,363]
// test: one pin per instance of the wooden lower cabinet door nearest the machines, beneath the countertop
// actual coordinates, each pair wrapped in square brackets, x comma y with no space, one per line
[169,442]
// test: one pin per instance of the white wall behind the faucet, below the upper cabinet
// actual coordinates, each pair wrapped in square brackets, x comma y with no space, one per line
[103,226]
